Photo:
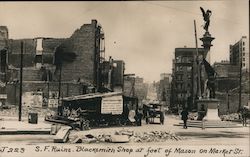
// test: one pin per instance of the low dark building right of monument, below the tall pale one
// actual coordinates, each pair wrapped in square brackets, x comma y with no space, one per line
[227,87]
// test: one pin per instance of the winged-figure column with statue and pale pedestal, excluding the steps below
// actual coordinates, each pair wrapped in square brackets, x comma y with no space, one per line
[206,102]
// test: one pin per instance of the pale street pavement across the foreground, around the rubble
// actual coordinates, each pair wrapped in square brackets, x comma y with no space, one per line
[194,136]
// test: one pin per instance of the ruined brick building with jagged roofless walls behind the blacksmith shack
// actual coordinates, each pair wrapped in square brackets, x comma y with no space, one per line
[73,66]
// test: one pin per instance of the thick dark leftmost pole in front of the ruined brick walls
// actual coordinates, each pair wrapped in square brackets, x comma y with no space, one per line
[21,84]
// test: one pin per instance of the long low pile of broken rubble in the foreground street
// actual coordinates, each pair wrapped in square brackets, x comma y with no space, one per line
[124,136]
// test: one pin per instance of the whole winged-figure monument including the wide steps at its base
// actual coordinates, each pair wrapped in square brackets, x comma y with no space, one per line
[207,104]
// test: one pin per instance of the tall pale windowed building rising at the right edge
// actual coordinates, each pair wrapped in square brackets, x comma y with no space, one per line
[239,52]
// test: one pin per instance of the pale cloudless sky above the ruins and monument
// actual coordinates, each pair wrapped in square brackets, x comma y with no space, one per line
[142,33]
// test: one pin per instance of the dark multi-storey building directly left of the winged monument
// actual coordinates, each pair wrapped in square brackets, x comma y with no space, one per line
[184,83]
